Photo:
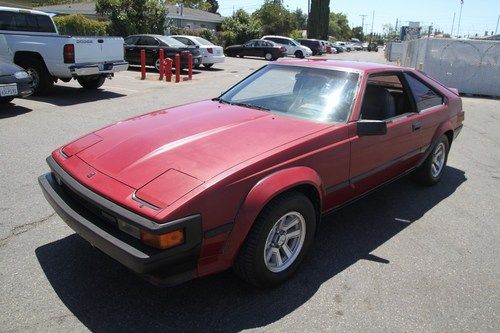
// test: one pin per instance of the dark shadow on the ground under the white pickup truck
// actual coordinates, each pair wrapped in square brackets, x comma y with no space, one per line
[67,96]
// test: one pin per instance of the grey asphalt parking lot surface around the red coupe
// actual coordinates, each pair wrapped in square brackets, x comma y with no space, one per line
[405,258]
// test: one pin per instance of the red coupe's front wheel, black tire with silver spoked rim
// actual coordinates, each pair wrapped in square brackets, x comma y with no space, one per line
[278,241]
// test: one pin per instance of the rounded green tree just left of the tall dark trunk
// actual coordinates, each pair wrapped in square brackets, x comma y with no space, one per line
[274,18]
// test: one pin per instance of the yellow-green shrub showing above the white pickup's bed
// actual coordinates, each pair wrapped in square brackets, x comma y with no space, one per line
[79,25]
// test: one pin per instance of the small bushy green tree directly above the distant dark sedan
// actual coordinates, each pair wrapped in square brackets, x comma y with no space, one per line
[239,28]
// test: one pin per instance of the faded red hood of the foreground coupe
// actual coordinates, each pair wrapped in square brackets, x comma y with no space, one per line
[201,140]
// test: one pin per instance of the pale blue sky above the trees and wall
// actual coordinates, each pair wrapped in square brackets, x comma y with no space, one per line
[477,15]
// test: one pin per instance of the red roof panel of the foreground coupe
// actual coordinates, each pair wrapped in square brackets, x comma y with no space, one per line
[341,64]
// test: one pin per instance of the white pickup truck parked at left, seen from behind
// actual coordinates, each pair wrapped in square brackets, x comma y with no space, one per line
[30,39]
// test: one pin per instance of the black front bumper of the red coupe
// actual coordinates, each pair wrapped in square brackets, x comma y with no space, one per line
[79,208]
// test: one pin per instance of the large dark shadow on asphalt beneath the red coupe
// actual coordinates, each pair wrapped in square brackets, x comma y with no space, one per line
[105,296]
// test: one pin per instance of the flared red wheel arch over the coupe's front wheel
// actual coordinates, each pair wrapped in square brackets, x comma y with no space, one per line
[300,179]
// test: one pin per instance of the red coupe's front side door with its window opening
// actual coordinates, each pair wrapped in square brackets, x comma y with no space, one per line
[376,159]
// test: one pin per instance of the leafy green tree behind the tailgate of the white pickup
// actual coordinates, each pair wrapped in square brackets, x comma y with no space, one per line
[133,16]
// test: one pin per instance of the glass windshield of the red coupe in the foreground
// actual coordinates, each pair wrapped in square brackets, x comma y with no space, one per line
[316,94]
